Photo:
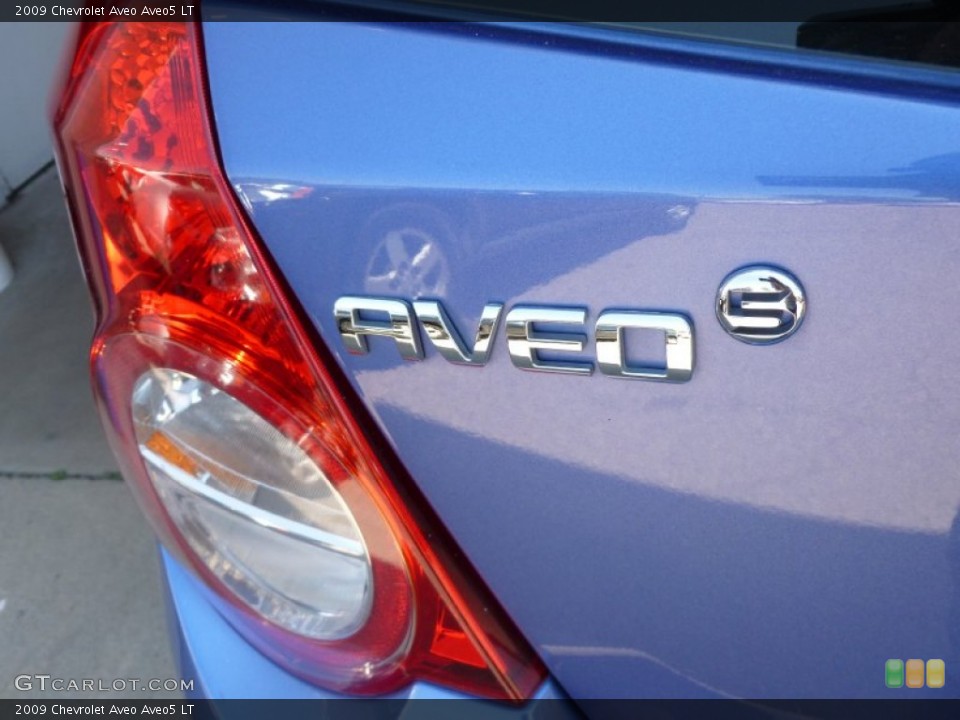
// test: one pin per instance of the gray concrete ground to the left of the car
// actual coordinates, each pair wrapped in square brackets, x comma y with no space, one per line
[80,594]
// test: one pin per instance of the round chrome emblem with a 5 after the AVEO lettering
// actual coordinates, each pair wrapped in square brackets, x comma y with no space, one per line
[761,304]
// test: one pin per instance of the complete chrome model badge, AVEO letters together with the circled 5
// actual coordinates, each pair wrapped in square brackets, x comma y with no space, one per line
[757,304]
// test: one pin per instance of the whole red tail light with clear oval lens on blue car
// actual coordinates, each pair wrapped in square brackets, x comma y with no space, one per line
[255,470]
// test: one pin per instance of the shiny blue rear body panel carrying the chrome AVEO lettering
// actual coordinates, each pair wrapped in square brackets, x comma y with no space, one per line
[778,526]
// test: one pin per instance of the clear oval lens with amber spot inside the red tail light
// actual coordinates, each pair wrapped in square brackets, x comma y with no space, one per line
[253,506]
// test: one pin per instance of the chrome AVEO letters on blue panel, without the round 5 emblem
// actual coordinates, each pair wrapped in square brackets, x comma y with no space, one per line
[359,317]
